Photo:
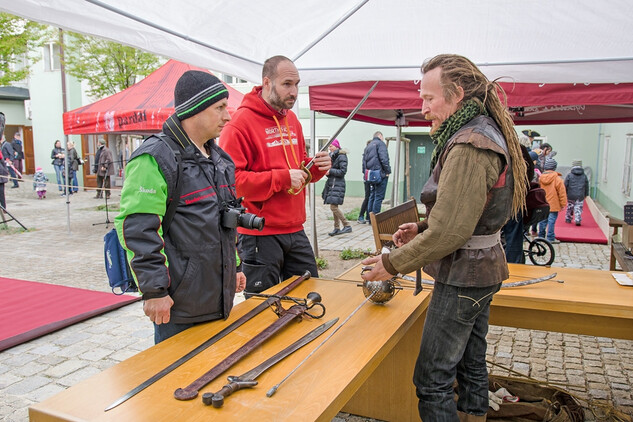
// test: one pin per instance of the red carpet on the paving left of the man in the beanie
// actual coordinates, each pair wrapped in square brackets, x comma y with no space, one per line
[29,309]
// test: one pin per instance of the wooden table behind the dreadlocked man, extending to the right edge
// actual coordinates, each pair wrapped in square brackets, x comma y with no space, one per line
[589,302]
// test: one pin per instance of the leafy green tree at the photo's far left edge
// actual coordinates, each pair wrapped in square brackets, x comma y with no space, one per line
[18,37]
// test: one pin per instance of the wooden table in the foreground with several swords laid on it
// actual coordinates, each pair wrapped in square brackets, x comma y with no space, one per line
[365,368]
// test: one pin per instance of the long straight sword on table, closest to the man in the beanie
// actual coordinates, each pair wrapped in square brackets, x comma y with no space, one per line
[259,308]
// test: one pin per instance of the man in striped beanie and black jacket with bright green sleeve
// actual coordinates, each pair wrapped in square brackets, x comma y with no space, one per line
[189,274]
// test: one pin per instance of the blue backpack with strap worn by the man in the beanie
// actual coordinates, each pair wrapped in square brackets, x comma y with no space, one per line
[117,268]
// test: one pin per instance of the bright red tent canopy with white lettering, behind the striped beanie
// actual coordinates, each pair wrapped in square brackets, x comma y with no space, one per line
[141,108]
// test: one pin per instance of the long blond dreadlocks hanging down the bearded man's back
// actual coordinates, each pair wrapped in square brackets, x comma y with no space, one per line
[458,71]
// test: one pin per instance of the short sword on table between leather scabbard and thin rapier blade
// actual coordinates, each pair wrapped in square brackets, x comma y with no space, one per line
[247,379]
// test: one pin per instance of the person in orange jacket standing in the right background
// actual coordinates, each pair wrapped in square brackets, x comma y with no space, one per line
[554,187]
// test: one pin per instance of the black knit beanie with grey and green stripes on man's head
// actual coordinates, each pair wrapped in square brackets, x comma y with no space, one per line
[195,91]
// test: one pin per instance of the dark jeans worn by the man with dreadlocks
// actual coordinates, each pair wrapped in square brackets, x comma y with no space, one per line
[454,346]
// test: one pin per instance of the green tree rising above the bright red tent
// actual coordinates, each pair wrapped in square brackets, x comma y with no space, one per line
[106,66]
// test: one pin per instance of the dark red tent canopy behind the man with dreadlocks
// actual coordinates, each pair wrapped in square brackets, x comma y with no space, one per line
[530,103]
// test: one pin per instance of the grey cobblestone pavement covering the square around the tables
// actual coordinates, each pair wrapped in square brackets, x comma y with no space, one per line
[64,246]
